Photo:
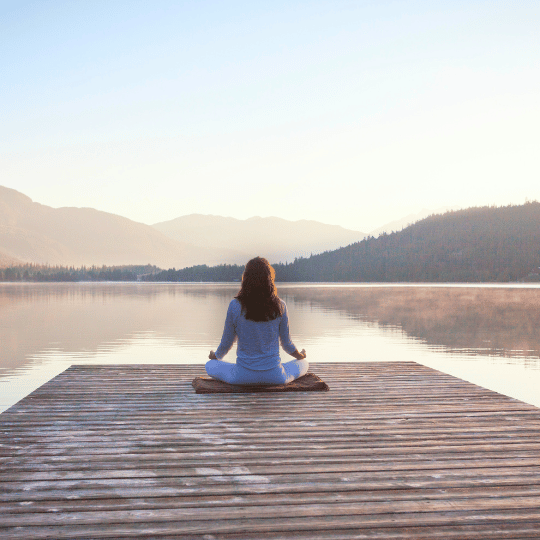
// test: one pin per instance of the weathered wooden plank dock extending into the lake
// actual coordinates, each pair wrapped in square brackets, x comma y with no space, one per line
[393,451]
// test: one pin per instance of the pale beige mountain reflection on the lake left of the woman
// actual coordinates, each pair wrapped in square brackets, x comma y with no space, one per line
[87,318]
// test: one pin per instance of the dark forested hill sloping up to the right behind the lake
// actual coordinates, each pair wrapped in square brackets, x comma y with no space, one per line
[473,245]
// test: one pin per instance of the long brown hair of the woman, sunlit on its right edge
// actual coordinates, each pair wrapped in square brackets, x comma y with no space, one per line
[258,294]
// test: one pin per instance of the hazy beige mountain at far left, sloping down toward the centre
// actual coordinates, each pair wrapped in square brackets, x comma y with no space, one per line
[34,233]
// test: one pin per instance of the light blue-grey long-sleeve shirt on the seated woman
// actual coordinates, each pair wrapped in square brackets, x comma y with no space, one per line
[258,342]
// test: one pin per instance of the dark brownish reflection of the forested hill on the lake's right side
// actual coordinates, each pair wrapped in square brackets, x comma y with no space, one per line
[501,321]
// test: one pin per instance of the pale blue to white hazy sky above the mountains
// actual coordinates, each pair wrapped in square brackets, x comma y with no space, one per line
[347,112]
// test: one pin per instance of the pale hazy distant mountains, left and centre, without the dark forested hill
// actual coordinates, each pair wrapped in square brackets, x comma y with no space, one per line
[34,233]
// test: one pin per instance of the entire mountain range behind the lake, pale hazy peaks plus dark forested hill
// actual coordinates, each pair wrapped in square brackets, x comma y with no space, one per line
[475,244]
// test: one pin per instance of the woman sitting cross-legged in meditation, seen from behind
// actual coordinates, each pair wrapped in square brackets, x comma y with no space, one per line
[257,317]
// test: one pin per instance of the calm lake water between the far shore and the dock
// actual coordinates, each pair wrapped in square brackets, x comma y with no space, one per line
[488,334]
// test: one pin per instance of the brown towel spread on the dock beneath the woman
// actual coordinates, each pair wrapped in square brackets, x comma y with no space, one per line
[307,383]
